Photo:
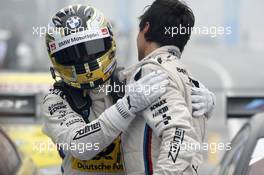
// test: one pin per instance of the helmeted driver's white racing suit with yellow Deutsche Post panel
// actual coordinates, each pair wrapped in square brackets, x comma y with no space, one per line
[95,136]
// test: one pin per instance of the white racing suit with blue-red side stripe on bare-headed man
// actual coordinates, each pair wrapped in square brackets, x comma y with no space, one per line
[166,139]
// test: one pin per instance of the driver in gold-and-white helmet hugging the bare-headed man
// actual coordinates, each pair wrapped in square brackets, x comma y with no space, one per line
[78,112]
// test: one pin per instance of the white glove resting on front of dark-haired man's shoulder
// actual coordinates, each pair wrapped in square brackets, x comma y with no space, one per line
[142,93]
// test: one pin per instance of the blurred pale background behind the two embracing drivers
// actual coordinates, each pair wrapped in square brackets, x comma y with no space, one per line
[230,64]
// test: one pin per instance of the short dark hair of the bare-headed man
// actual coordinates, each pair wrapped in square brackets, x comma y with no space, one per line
[163,14]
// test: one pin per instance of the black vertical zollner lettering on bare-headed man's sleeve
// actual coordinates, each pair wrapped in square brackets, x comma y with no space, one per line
[175,144]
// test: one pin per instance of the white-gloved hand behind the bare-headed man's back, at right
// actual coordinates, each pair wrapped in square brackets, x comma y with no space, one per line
[203,101]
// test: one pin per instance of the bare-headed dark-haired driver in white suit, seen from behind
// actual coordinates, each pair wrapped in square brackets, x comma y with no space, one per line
[167,138]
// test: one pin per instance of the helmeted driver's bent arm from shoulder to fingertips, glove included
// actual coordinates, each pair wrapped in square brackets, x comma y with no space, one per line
[66,127]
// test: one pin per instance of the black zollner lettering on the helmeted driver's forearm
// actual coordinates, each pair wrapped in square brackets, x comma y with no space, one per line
[87,130]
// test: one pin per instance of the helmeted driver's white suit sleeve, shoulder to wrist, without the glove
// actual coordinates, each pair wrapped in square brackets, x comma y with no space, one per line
[67,128]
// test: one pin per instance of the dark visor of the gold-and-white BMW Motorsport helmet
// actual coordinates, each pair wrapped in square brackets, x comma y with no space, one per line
[84,52]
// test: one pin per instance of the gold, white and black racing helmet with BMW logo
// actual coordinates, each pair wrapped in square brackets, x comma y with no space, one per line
[81,46]
